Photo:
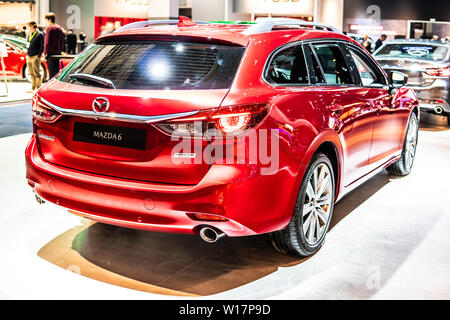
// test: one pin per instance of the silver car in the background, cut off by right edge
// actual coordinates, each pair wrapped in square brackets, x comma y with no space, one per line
[427,64]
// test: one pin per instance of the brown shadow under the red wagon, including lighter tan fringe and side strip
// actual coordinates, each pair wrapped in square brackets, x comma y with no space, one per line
[174,264]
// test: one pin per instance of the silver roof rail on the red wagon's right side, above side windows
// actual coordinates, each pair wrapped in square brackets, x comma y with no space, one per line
[267,24]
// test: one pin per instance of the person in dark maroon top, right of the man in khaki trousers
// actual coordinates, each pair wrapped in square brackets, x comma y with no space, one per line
[53,44]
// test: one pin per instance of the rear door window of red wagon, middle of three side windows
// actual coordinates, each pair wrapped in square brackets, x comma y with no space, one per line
[334,67]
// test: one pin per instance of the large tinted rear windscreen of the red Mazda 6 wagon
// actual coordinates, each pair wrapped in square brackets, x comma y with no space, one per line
[158,65]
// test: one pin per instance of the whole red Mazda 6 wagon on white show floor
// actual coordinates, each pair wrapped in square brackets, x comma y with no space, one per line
[219,130]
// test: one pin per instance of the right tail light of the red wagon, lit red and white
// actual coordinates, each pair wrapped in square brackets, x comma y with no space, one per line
[227,121]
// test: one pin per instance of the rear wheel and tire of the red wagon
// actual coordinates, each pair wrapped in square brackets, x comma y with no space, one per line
[301,238]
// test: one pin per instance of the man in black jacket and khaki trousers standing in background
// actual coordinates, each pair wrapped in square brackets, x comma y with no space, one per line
[34,52]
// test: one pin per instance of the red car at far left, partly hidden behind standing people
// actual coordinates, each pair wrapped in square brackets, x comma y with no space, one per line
[16,61]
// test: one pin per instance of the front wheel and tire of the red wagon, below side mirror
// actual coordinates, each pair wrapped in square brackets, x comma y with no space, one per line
[404,165]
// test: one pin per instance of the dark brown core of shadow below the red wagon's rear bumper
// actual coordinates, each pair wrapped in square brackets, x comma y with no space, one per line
[183,263]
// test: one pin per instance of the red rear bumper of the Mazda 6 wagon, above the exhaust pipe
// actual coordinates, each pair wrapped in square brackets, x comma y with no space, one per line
[253,204]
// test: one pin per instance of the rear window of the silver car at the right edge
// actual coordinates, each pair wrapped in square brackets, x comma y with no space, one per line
[417,51]
